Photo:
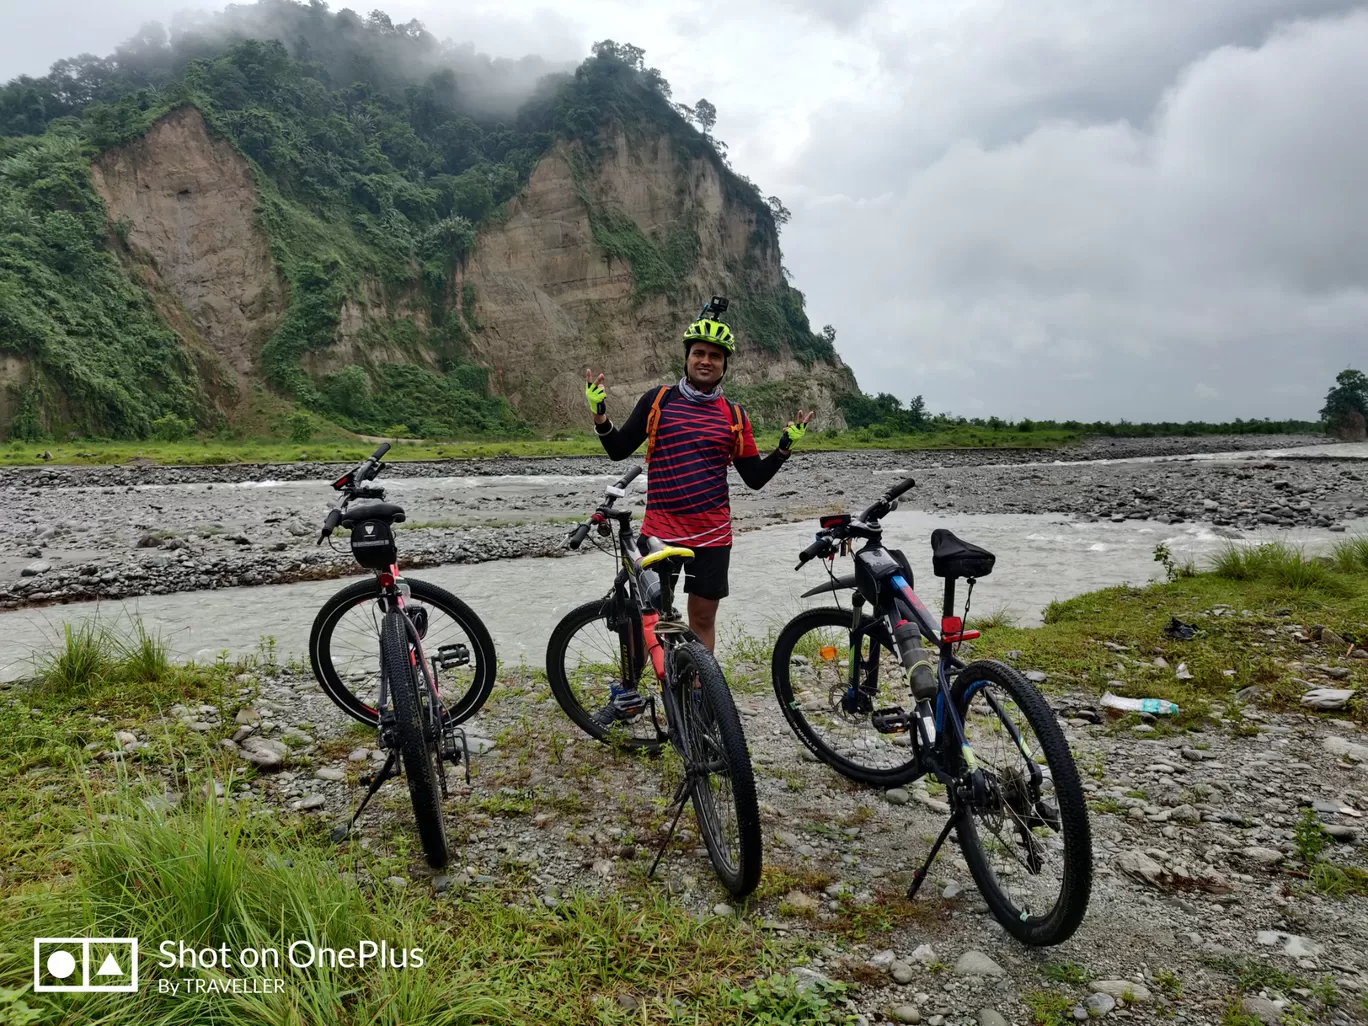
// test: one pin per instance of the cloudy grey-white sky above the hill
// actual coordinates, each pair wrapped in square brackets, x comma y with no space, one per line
[1050,209]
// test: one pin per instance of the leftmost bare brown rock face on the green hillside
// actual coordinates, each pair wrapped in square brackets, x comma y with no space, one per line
[189,203]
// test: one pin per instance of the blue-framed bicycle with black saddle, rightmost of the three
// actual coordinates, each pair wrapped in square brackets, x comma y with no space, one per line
[980,730]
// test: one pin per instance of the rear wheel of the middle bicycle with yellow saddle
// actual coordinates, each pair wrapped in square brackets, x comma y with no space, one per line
[716,726]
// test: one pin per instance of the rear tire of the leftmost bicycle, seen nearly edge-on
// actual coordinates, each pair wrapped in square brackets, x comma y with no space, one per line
[419,752]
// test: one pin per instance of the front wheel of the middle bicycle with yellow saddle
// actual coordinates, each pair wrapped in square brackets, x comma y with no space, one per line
[586,659]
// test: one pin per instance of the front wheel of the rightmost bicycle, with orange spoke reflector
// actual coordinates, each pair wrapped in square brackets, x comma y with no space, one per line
[828,709]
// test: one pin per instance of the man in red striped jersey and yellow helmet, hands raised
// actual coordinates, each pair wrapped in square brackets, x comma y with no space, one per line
[693,436]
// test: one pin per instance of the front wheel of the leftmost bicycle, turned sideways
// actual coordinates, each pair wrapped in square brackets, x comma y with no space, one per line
[347,634]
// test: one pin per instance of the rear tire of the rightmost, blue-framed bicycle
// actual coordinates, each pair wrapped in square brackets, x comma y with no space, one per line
[1060,923]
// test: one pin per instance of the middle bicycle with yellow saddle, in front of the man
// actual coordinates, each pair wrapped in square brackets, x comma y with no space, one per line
[601,650]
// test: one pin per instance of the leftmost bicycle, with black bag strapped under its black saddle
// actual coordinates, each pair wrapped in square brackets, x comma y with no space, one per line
[397,694]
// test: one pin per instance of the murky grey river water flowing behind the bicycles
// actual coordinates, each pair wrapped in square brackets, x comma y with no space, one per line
[1040,559]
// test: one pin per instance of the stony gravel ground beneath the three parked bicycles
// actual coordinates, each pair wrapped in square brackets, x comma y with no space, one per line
[1202,905]
